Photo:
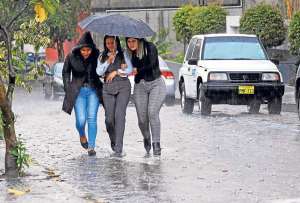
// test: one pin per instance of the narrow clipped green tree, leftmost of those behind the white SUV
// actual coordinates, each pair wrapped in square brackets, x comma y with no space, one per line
[181,24]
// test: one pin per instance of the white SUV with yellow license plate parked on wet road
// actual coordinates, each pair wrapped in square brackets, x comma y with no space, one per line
[229,69]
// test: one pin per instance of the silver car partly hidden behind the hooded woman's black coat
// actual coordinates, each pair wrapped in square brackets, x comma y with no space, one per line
[53,83]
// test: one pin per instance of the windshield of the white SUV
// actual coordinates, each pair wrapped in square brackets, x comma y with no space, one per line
[233,48]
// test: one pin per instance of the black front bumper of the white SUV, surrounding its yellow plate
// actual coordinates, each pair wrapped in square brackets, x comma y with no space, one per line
[228,93]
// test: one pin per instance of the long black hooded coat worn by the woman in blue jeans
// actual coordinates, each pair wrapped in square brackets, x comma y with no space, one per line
[78,70]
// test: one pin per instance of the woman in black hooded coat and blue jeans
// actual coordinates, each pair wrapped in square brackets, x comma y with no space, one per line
[83,89]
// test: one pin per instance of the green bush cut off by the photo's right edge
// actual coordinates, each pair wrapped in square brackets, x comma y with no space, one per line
[294,34]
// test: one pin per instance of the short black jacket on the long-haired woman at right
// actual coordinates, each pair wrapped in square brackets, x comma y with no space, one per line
[147,67]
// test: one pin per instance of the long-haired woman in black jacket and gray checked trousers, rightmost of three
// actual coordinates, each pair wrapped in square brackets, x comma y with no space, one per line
[149,90]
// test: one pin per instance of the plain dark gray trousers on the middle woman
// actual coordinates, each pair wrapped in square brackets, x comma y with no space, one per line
[115,112]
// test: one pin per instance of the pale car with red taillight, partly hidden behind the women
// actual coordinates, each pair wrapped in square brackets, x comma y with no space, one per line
[169,79]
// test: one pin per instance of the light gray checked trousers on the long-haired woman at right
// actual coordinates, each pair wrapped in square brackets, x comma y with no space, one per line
[148,99]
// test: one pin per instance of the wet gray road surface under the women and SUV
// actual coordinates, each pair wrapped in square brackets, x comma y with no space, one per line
[230,156]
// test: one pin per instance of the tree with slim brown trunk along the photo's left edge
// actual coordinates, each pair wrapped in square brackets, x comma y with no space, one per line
[12,15]
